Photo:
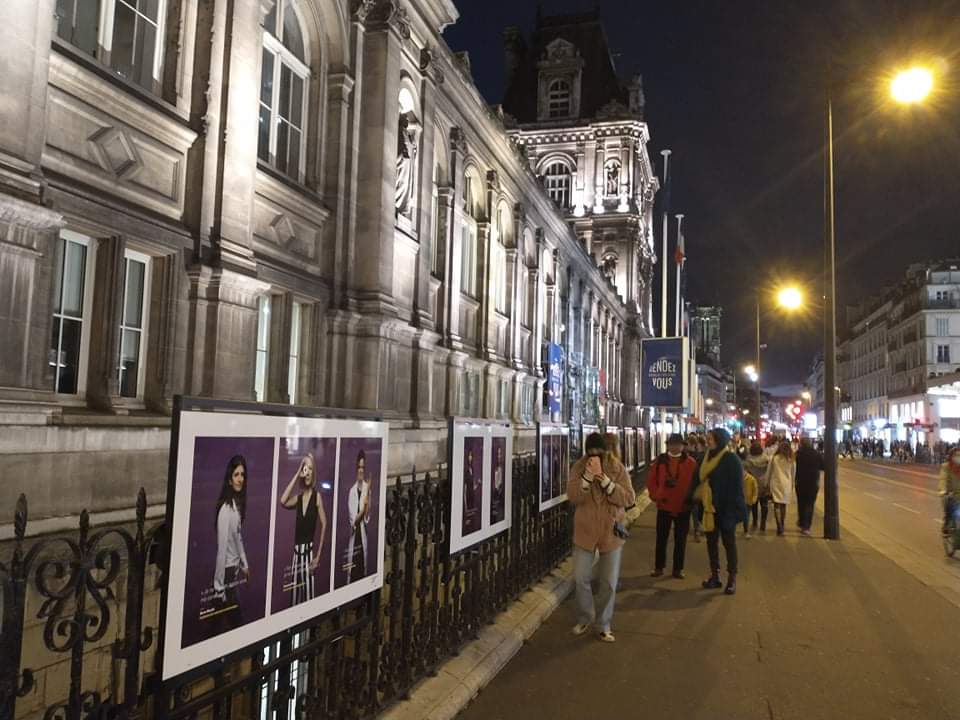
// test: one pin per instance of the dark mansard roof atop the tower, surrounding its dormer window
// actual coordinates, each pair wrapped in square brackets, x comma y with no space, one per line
[599,86]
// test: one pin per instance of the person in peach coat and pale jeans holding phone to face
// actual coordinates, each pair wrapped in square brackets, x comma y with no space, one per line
[599,488]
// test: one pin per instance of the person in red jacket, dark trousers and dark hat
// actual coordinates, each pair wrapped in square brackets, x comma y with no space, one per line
[670,484]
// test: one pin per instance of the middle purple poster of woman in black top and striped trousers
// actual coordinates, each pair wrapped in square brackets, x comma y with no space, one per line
[304,521]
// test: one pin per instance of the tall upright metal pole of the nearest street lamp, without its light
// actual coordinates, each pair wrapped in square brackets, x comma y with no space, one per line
[831,505]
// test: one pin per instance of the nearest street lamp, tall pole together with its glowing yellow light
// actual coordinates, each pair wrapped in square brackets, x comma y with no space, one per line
[909,86]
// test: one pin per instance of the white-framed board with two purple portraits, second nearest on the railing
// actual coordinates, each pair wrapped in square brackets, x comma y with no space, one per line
[481,480]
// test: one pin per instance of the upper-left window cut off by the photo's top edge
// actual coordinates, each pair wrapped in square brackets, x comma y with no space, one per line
[129,39]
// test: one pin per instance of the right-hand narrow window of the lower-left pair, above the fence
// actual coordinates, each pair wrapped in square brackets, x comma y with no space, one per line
[133,323]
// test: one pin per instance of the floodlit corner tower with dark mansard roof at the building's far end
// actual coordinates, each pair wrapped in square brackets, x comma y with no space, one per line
[584,136]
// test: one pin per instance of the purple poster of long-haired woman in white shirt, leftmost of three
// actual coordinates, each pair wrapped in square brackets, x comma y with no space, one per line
[229,527]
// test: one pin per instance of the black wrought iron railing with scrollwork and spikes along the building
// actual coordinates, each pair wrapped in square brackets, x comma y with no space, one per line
[80,618]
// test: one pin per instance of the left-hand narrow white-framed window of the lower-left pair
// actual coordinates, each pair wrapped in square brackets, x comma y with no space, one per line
[72,273]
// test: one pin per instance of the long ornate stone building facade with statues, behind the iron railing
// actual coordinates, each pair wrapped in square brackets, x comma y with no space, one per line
[289,201]
